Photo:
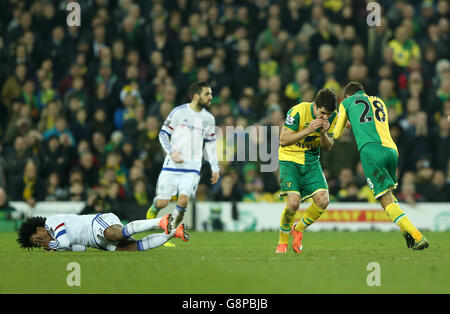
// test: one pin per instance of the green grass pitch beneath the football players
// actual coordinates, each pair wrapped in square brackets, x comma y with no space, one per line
[237,263]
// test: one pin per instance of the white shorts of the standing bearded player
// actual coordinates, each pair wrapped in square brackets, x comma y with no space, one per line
[170,183]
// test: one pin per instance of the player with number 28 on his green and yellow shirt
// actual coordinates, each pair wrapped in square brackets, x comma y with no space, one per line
[378,153]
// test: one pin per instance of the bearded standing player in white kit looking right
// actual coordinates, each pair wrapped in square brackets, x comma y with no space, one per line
[187,132]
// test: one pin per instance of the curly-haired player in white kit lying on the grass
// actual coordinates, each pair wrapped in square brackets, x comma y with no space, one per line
[101,231]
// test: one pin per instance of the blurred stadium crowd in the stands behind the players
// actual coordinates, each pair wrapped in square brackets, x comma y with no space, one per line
[81,107]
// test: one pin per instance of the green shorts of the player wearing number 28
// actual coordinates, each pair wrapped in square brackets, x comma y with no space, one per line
[380,165]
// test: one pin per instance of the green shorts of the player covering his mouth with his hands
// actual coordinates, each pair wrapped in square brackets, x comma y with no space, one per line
[305,180]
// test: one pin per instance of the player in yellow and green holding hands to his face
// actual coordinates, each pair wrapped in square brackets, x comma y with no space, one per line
[308,128]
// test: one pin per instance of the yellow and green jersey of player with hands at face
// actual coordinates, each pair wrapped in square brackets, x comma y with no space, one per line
[308,149]
